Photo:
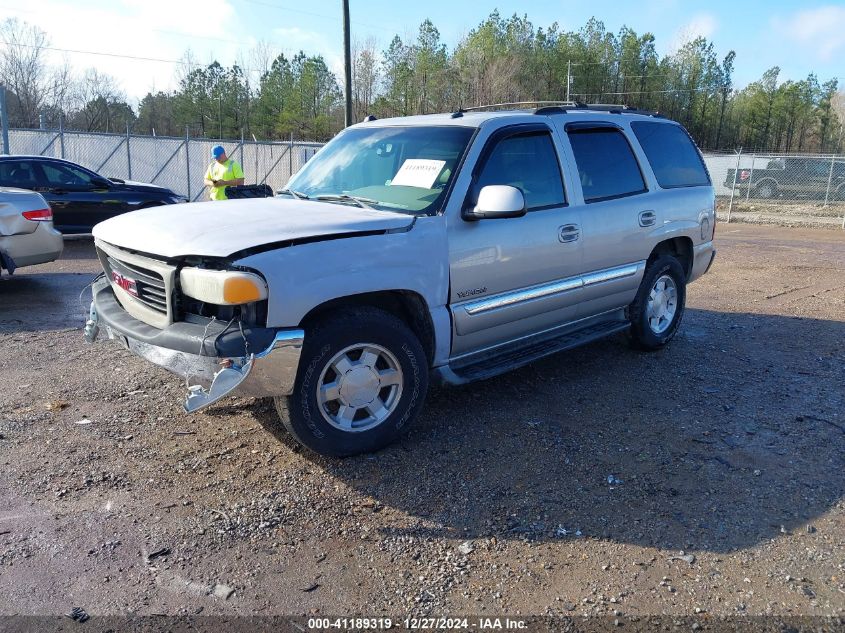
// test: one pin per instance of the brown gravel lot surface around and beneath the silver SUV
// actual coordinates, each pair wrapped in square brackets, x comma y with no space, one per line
[705,478]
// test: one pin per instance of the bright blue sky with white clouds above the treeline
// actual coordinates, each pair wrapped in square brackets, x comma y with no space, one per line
[800,37]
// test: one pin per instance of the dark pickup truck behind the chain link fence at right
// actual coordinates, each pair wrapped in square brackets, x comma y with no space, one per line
[791,177]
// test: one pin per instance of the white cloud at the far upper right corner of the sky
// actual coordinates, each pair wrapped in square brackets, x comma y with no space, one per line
[820,31]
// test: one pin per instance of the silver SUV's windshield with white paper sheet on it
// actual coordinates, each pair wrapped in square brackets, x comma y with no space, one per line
[405,169]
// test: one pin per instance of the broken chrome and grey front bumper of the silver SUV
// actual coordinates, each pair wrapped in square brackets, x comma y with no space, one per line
[215,359]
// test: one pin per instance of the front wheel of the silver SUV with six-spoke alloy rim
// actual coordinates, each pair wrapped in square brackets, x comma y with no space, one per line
[358,361]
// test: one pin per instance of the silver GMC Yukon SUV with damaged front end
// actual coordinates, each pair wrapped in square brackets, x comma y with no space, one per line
[448,247]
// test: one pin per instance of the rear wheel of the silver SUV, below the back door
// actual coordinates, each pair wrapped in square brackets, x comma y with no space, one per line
[650,331]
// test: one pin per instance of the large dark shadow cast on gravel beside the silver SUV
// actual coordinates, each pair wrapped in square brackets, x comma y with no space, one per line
[729,437]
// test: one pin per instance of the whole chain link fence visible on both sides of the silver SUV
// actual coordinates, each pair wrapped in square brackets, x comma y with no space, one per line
[798,189]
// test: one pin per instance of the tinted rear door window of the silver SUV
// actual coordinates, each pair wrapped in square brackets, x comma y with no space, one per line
[606,164]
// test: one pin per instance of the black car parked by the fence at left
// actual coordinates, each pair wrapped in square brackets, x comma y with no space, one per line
[79,197]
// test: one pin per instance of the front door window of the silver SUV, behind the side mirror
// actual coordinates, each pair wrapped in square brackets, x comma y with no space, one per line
[528,162]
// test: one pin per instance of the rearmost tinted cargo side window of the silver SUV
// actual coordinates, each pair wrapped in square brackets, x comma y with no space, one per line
[673,157]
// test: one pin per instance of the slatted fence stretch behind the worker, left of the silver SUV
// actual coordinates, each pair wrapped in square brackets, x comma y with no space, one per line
[176,163]
